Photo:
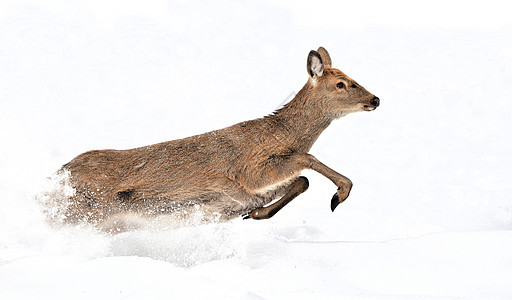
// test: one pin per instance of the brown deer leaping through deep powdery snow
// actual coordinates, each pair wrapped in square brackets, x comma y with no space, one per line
[230,172]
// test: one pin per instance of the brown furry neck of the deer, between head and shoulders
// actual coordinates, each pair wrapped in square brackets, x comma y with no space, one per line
[302,120]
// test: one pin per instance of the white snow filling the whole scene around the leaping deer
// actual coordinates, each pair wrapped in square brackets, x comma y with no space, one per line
[430,215]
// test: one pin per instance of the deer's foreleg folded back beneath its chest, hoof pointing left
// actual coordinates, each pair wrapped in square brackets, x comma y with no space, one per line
[297,187]
